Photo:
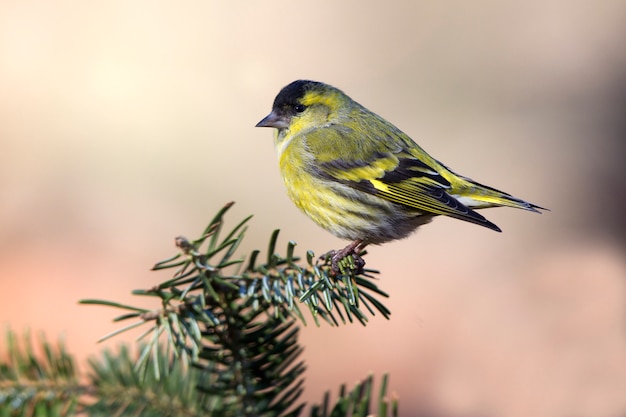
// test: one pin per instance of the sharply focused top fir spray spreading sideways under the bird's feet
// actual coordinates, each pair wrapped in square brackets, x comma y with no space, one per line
[208,278]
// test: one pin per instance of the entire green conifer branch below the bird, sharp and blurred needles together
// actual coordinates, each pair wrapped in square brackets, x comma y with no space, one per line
[223,342]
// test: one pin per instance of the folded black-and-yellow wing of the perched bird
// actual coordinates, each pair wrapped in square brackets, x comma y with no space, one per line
[393,173]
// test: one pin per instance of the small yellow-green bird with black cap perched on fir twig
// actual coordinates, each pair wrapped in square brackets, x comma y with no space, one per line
[360,177]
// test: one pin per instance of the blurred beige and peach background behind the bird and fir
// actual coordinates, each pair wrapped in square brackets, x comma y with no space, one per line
[125,124]
